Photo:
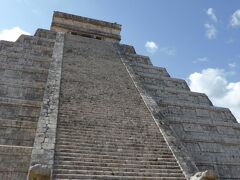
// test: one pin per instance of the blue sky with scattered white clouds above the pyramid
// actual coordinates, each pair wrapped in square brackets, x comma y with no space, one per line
[195,40]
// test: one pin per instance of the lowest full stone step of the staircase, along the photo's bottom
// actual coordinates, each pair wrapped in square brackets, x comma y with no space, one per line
[118,173]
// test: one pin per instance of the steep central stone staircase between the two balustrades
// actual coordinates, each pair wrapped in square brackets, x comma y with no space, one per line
[104,129]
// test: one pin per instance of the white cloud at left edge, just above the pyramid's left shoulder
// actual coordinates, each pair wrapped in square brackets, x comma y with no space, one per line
[12,34]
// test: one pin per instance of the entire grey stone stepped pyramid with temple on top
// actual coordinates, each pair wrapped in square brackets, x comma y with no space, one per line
[78,104]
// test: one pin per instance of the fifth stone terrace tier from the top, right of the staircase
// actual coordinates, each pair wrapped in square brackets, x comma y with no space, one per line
[173,95]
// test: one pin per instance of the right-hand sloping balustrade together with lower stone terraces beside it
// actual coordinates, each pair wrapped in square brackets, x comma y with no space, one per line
[208,134]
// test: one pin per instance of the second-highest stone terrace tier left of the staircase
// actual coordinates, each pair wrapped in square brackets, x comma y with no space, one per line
[35,40]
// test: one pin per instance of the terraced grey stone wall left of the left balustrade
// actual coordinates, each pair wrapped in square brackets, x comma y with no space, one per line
[23,73]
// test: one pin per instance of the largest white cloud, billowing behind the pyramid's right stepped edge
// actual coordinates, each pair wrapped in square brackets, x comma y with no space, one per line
[214,83]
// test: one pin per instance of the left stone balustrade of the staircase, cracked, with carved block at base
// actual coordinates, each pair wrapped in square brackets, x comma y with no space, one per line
[44,143]
